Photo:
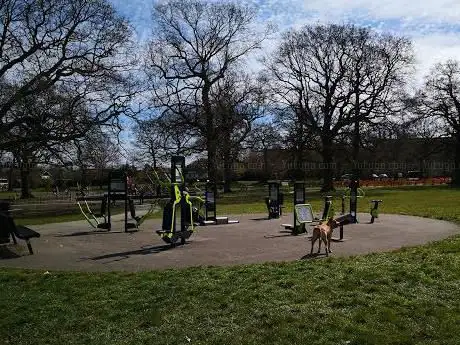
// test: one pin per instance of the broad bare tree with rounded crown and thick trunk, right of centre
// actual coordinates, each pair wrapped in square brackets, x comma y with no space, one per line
[332,77]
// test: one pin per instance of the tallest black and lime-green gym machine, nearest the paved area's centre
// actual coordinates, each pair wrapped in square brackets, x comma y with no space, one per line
[180,200]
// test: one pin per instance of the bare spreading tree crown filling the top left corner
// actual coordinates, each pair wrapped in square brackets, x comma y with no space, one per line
[74,50]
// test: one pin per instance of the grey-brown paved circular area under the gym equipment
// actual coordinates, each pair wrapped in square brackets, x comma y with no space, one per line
[74,246]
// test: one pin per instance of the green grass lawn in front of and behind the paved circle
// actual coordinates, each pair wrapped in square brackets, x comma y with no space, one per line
[411,296]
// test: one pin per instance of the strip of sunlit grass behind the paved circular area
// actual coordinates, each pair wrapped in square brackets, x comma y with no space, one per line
[433,202]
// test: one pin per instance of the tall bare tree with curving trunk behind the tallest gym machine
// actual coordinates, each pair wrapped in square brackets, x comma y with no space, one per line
[195,43]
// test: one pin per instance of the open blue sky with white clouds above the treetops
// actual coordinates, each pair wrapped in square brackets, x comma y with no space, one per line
[433,25]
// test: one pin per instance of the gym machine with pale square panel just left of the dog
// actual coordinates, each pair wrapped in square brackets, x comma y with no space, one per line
[303,213]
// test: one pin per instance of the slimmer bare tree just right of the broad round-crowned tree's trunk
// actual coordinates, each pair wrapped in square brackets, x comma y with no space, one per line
[380,66]
